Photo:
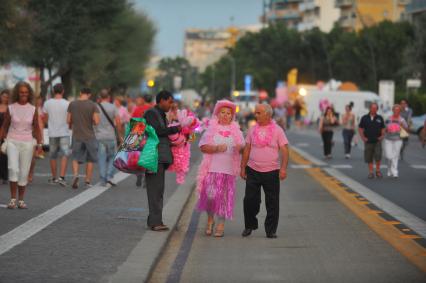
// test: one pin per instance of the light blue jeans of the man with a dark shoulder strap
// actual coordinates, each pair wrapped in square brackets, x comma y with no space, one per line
[106,153]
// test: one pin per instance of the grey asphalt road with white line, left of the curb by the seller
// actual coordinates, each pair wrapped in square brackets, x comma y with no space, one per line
[86,244]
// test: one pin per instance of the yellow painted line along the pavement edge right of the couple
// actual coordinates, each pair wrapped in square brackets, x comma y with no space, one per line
[410,249]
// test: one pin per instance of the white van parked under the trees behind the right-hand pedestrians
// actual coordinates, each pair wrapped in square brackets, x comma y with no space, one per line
[339,99]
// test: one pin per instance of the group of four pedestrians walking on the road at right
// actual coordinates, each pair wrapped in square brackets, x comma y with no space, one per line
[380,135]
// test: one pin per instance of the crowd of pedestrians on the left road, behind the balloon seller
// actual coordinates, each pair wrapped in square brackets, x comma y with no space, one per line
[85,130]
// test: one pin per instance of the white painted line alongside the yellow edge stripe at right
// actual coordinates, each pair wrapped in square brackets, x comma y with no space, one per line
[396,211]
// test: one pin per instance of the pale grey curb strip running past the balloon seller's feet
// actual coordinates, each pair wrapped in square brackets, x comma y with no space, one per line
[140,263]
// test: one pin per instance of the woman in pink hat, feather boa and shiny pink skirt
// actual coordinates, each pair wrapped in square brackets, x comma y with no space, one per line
[221,144]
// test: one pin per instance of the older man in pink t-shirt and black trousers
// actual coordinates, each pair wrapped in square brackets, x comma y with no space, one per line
[261,167]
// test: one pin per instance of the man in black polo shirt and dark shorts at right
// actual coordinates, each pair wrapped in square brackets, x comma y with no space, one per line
[372,131]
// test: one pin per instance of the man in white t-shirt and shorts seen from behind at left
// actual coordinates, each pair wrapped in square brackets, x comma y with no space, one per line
[55,110]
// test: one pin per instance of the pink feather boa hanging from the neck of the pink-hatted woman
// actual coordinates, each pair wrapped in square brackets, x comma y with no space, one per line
[212,129]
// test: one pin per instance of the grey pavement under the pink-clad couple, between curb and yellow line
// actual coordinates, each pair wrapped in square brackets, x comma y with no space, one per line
[319,240]
